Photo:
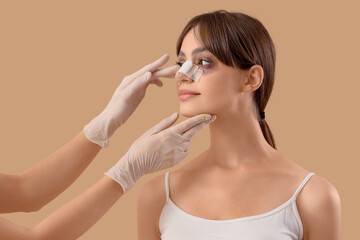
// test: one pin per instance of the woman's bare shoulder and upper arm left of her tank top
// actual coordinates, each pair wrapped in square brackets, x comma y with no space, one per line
[151,200]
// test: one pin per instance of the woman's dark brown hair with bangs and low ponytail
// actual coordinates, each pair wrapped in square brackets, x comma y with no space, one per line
[239,41]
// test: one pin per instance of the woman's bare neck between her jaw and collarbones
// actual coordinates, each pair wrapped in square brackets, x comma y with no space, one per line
[236,141]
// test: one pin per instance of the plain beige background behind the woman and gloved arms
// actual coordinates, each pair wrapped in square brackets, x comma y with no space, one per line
[60,62]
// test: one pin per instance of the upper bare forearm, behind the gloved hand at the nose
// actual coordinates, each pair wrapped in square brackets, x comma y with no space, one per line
[37,186]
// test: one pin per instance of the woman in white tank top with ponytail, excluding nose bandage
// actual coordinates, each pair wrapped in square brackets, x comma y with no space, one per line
[241,187]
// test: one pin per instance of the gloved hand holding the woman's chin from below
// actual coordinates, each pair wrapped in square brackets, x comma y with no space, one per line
[158,148]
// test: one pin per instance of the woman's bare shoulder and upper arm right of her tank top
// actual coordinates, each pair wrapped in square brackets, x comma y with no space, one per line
[320,209]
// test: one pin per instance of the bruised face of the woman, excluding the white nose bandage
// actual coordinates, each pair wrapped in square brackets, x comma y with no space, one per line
[219,88]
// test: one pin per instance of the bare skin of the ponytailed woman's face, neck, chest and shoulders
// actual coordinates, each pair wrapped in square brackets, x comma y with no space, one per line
[240,174]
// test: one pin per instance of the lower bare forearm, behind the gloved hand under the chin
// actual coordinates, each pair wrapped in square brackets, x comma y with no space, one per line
[71,220]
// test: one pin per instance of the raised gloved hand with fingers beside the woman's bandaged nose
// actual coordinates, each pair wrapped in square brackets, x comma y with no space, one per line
[125,100]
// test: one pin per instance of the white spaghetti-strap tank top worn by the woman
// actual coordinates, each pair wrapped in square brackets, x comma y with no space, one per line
[281,223]
